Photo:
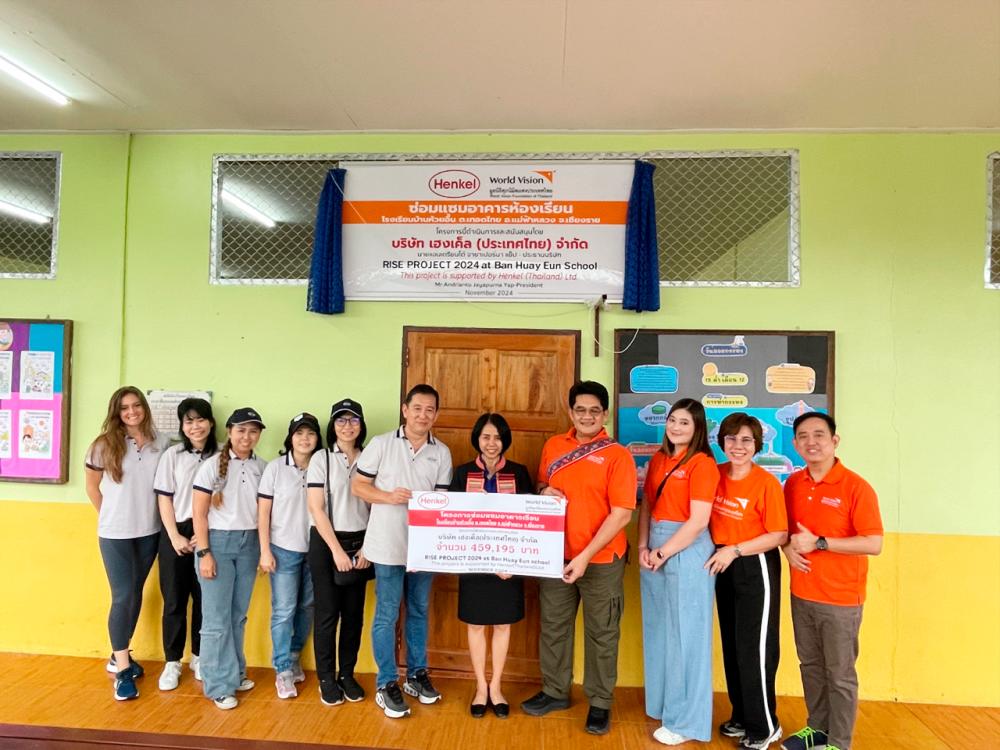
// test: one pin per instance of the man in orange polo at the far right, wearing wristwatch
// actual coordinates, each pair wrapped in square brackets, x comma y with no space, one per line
[834,514]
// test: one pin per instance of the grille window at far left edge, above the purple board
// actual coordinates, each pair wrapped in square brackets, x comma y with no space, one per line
[29,214]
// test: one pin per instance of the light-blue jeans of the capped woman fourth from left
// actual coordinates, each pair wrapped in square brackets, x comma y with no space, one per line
[291,606]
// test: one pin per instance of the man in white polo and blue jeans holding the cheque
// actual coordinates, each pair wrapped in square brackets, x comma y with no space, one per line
[392,467]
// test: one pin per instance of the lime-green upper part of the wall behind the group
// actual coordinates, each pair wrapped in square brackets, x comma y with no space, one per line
[892,231]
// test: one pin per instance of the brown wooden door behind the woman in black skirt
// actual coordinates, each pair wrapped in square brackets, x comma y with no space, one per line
[524,375]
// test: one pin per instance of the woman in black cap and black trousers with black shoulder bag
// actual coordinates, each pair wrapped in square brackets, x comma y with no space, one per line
[339,569]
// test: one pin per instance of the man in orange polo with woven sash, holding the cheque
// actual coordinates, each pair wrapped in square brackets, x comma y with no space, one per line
[597,476]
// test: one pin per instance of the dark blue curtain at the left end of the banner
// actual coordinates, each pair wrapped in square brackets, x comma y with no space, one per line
[326,274]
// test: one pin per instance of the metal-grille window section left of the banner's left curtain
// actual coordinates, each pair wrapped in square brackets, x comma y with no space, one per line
[263,217]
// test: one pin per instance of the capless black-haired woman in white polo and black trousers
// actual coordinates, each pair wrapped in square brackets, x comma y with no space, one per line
[178,579]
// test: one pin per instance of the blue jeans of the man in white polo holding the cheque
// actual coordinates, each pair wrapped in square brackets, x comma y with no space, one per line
[391,583]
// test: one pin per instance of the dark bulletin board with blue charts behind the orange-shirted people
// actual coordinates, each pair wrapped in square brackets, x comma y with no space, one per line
[772,375]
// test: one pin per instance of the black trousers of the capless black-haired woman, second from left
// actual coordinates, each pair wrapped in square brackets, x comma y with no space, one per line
[178,583]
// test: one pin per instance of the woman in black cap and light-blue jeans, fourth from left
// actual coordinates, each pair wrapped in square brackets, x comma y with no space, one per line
[283,525]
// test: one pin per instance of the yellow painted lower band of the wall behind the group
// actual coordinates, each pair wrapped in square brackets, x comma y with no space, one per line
[930,632]
